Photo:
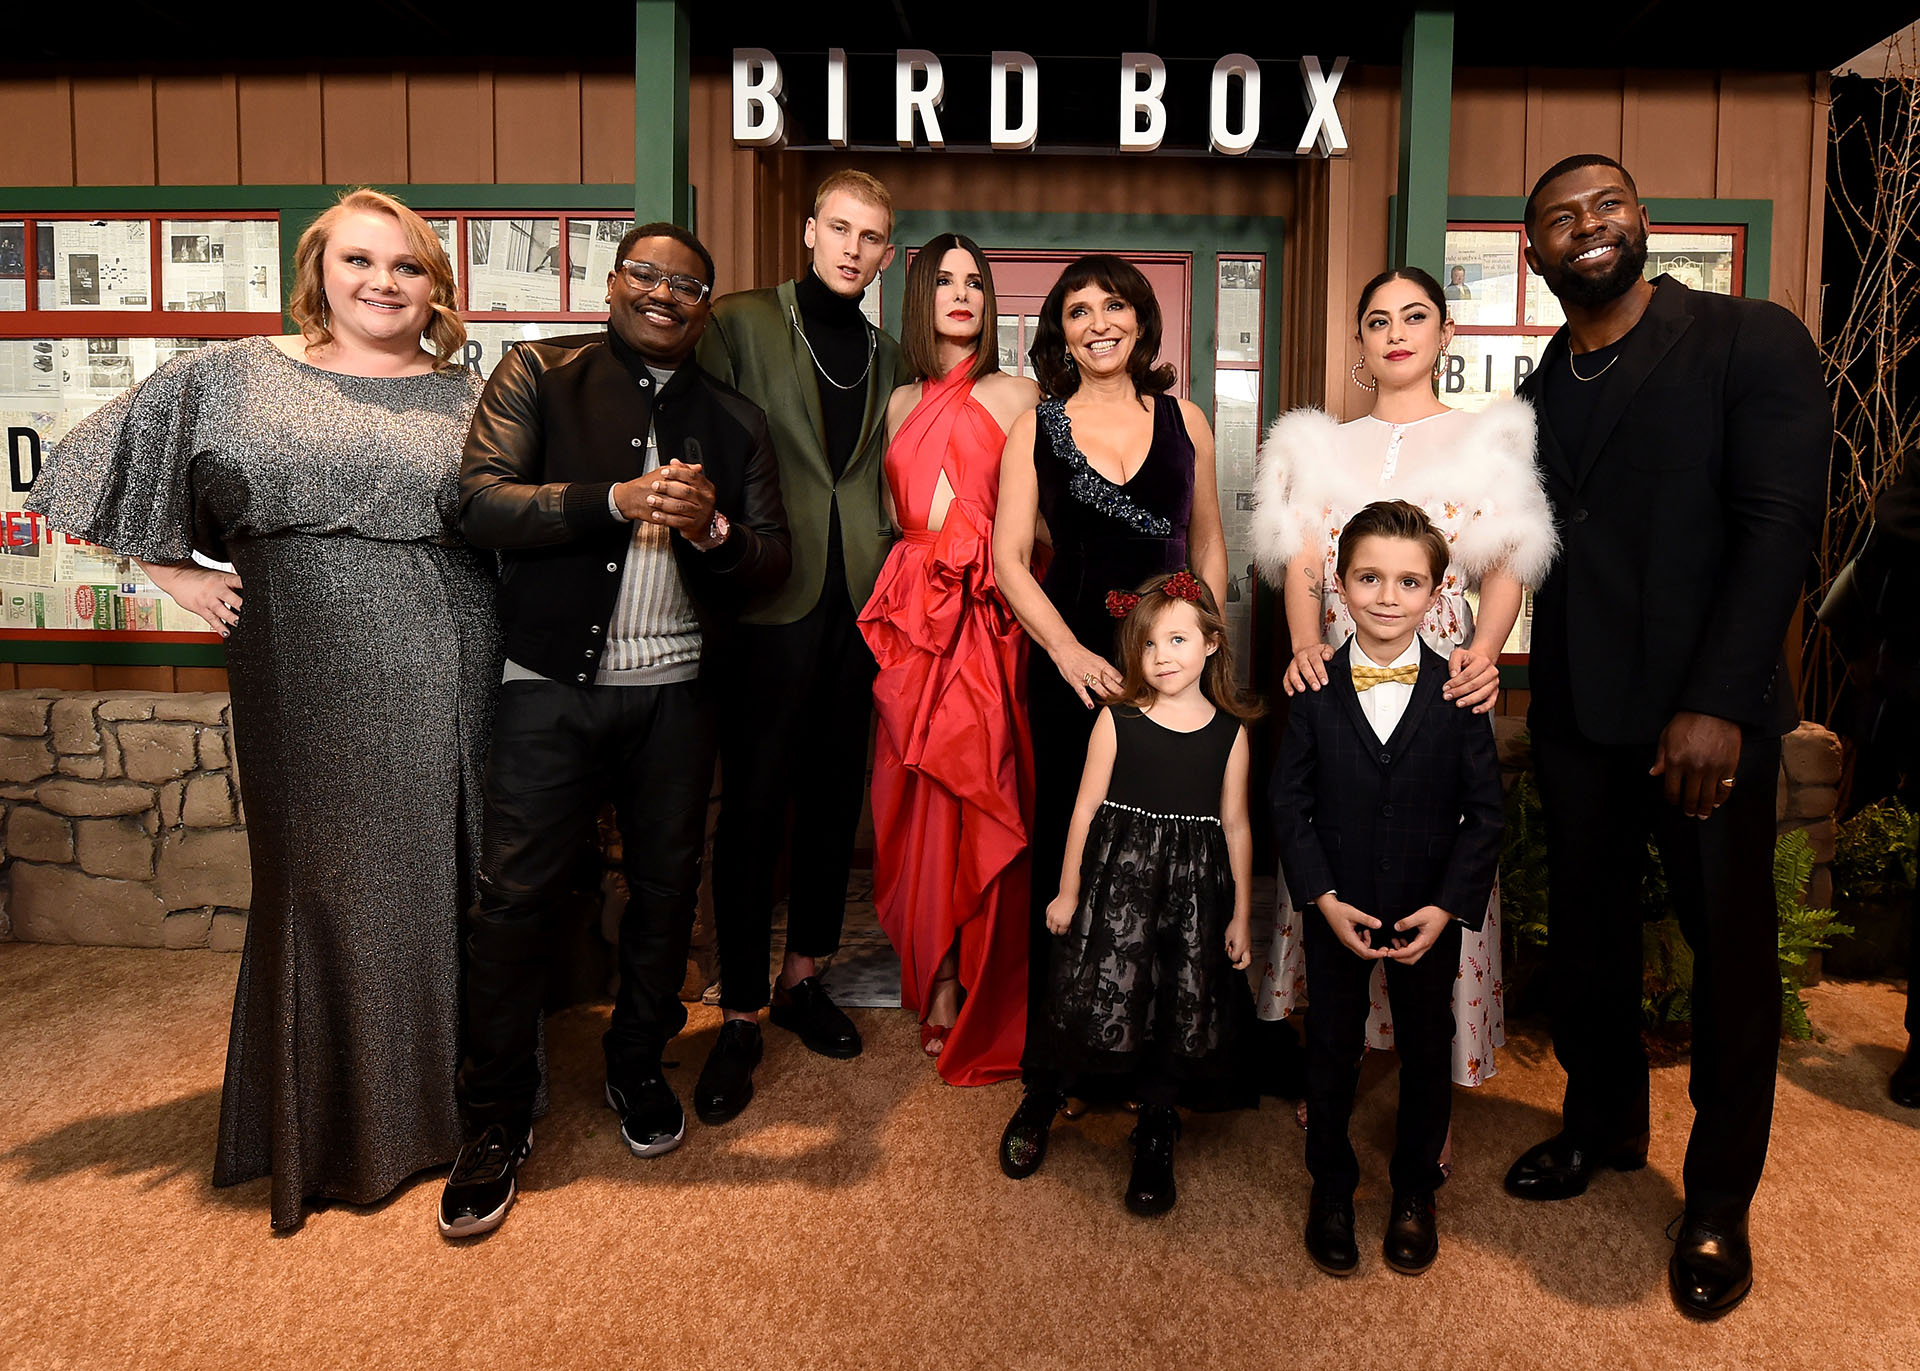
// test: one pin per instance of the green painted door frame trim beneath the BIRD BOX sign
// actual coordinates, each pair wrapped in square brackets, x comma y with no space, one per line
[1207,237]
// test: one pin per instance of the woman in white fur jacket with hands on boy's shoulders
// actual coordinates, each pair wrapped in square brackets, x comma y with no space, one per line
[1474,473]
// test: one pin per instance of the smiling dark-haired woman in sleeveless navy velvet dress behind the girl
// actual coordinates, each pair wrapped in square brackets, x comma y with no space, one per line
[1122,475]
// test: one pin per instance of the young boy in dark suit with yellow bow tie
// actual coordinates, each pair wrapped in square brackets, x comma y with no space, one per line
[1389,815]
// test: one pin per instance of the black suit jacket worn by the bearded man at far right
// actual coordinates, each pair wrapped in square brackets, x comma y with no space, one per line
[1687,521]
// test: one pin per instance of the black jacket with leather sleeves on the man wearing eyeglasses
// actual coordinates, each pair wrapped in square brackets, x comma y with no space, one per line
[564,421]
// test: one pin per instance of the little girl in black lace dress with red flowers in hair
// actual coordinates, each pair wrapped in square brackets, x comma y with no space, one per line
[1153,907]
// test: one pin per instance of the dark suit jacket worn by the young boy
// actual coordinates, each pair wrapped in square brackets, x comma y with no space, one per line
[1391,827]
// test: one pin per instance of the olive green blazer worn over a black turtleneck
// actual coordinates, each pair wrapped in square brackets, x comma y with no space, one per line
[754,347]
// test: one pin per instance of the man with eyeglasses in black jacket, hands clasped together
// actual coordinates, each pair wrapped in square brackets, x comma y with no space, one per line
[636,508]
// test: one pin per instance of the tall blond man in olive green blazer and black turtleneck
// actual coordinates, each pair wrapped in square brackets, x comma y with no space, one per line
[802,681]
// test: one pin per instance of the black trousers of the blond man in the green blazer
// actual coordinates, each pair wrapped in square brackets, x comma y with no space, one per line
[794,742]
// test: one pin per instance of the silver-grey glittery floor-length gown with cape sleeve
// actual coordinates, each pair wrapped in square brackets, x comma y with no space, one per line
[362,675]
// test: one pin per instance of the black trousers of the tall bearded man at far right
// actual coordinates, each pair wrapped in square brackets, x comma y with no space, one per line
[1600,809]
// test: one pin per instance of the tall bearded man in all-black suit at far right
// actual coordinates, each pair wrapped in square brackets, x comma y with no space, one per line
[1685,443]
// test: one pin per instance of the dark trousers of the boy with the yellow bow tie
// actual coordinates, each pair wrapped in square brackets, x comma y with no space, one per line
[1422,998]
